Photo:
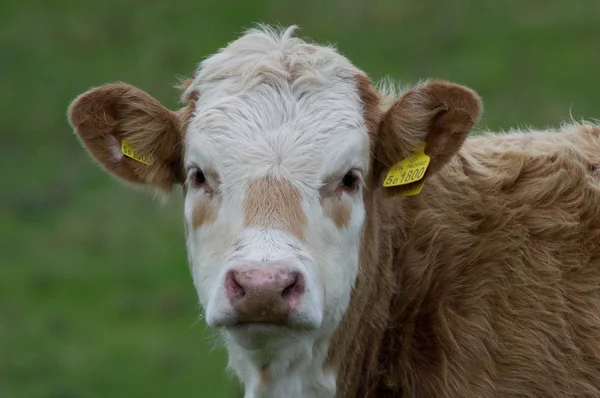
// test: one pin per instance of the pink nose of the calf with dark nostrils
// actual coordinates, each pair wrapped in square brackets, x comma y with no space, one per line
[267,293]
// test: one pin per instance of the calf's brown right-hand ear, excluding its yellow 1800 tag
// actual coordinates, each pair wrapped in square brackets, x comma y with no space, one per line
[437,114]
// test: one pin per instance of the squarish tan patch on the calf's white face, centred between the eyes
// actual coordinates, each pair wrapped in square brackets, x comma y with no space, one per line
[275,203]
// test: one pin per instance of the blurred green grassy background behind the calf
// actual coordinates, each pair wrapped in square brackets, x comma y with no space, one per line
[96,299]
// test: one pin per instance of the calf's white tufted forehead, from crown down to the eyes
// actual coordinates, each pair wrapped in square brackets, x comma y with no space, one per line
[270,100]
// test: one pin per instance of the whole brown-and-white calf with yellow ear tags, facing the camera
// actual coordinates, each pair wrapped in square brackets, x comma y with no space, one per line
[347,241]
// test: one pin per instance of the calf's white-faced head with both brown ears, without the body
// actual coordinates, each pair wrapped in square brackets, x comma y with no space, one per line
[280,149]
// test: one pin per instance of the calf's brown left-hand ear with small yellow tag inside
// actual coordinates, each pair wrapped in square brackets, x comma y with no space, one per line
[130,134]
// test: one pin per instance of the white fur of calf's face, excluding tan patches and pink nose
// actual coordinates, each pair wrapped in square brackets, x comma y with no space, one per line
[276,107]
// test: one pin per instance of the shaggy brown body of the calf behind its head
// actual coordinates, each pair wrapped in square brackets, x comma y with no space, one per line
[492,275]
